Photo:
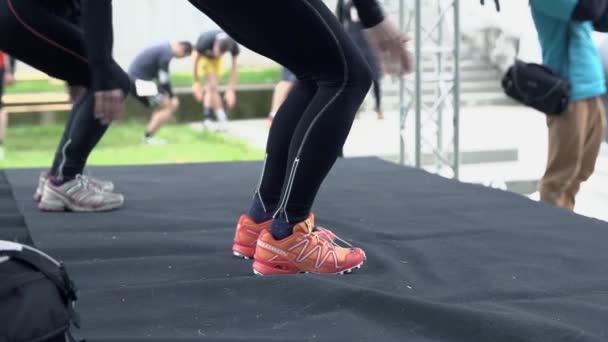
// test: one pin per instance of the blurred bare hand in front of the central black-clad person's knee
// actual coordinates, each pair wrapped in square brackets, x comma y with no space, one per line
[390,43]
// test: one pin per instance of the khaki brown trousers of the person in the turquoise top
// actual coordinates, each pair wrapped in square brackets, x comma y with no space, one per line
[575,137]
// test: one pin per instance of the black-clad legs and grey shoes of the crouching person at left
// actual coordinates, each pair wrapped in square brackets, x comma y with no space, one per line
[56,47]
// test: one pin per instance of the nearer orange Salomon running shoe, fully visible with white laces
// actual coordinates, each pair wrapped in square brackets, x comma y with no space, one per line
[304,252]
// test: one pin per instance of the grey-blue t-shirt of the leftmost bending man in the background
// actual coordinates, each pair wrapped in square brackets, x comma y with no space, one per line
[153,64]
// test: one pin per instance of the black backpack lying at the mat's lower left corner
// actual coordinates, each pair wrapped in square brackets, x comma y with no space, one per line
[37,297]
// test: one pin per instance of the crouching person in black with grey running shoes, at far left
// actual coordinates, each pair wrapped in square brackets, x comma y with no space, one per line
[51,37]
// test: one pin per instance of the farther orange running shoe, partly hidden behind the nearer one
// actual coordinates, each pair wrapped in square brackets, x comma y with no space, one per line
[247,233]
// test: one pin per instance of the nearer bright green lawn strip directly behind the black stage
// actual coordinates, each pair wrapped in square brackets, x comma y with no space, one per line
[34,146]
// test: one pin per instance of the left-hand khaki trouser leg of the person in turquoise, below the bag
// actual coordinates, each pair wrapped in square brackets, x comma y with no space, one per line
[566,141]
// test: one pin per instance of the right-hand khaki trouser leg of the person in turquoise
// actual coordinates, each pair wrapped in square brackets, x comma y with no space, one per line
[594,133]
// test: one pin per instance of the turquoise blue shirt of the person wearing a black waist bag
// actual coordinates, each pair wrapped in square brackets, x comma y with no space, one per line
[568,47]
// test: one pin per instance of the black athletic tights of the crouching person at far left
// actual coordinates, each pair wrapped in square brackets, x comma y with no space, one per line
[54,45]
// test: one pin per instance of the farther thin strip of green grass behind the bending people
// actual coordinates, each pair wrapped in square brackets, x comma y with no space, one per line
[262,76]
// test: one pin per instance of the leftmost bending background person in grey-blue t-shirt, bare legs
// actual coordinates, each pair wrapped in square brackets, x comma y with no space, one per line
[152,64]
